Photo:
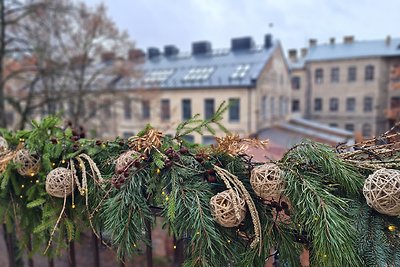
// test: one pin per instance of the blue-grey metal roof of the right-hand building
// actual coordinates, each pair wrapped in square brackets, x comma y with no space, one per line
[356,49]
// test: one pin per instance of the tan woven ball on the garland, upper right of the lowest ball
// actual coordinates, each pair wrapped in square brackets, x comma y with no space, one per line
[267,181]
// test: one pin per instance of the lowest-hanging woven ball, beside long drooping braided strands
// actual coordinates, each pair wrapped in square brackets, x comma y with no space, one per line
[228,208]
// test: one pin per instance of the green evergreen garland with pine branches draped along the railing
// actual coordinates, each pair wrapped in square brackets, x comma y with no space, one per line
[321,208]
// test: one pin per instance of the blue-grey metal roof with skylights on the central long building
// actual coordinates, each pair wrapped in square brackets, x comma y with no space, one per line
[221,64]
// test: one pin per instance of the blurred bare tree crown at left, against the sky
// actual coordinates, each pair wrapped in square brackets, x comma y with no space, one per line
[70,50]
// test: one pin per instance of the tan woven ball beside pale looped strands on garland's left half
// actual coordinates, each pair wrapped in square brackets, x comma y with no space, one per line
[60,182]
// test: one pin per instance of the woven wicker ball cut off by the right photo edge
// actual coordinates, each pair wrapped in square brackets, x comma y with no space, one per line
[382,191]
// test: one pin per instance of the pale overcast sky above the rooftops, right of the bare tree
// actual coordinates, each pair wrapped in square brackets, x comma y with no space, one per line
[180,22]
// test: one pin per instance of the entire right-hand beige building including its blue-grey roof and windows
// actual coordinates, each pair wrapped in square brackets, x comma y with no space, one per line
[345,85]
